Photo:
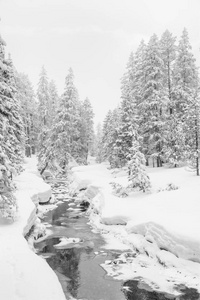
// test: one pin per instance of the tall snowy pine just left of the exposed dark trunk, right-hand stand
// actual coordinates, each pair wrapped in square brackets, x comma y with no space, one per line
[153,102]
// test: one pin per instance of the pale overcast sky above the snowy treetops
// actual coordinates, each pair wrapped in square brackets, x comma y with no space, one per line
[94,37]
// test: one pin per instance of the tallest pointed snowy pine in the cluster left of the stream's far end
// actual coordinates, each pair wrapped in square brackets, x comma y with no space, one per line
[64,135]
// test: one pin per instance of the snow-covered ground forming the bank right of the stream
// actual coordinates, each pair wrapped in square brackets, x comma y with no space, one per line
[160,228]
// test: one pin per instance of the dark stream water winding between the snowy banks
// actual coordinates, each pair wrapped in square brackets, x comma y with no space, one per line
[77,264]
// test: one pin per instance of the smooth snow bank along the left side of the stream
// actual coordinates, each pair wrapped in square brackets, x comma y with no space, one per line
[24,275]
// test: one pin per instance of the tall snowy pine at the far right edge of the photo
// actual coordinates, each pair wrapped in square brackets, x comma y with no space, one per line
[185,97]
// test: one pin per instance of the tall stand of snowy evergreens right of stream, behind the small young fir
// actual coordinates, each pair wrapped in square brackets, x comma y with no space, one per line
[159,109]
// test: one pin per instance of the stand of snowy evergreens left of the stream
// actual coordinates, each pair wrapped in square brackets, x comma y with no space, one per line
[59,129]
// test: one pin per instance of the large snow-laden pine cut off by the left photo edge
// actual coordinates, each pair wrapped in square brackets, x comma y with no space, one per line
[11,135]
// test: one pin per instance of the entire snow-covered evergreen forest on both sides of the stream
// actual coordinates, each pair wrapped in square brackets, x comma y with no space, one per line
[155,123]
